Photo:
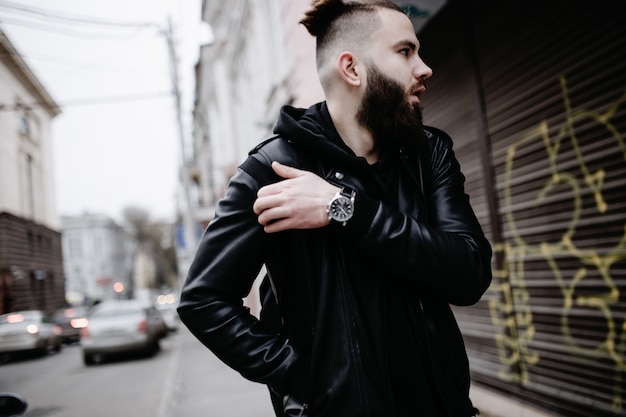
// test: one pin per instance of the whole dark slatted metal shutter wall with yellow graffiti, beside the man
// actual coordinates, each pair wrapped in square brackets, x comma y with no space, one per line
[552,76]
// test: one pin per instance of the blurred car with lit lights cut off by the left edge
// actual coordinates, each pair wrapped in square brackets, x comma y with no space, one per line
[29,331]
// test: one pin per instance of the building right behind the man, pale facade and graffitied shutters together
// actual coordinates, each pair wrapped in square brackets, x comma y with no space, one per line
[534,95]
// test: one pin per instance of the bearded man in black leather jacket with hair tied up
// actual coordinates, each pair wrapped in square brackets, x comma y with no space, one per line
[359,214]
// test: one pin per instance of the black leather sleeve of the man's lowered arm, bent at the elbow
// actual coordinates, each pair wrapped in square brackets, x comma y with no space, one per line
[227,262]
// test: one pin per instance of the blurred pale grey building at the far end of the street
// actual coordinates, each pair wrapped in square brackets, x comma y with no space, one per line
[98,259]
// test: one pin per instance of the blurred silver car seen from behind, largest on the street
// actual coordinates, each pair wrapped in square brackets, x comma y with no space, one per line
[121,326]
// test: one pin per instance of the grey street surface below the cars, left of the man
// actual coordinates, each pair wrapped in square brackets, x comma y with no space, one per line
[183,380]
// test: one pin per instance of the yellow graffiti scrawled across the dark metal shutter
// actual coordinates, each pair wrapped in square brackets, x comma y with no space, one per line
[511,314]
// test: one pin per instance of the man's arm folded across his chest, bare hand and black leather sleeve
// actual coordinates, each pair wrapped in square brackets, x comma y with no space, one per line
[449,257]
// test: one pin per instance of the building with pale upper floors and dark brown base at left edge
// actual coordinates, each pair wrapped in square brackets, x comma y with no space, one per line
[31,261]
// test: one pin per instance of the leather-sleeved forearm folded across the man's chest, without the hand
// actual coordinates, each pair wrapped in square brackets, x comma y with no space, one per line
[454,265]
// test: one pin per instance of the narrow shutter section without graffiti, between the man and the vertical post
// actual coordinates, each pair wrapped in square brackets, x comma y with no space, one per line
[450,104]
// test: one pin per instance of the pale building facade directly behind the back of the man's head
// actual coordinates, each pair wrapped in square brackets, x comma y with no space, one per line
[239,90]
